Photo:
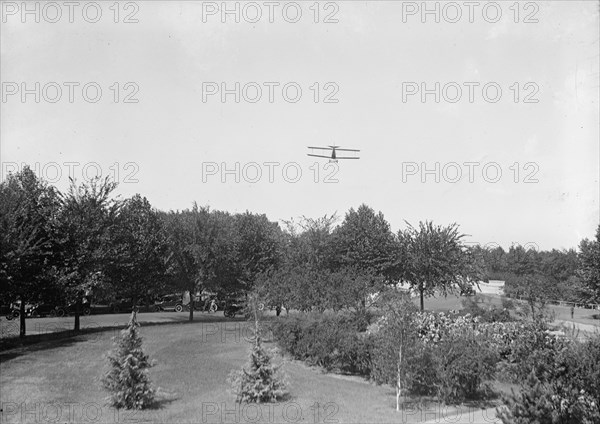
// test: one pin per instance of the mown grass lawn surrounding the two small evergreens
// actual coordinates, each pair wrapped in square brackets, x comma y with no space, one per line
[58,381]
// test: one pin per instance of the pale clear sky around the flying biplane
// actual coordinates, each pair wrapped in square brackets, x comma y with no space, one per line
[487,117]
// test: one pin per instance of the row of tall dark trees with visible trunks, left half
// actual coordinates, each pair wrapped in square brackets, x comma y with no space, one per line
[60,248]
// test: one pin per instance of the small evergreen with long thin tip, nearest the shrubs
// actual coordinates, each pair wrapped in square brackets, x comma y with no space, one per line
[260,381]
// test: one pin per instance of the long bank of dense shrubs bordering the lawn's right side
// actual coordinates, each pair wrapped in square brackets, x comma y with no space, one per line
[452,357]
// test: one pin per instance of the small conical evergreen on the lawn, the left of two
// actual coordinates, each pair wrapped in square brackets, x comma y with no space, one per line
[127,379]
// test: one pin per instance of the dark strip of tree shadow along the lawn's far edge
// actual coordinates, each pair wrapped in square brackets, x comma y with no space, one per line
[13,347]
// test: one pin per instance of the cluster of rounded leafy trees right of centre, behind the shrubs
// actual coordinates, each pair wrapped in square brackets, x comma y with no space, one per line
[328,267]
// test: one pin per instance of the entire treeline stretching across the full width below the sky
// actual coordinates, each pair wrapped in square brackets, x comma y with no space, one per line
[60,247]
